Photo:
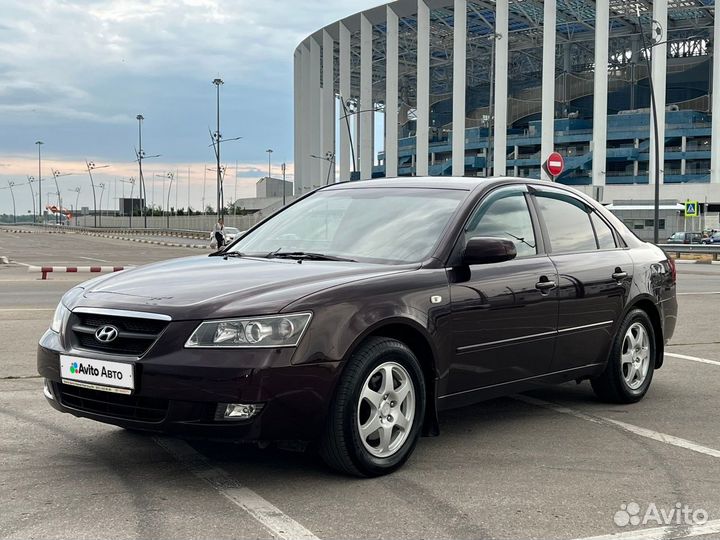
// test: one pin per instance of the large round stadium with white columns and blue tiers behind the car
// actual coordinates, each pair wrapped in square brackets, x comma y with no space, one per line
[481,88]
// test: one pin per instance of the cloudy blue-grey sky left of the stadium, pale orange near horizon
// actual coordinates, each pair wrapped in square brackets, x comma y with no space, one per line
[75,73]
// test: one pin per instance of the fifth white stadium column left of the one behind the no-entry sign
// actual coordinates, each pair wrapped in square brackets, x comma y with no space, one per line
[366,108]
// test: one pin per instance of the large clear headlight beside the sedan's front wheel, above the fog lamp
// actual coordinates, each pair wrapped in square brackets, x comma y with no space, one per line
[268,331]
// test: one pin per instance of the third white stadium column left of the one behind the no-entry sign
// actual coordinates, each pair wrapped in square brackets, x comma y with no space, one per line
[422,112]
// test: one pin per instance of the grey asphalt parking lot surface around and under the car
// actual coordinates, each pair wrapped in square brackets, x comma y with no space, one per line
[553,463]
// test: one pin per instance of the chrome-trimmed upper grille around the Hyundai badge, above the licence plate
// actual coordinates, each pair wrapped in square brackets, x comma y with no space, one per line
[135,334]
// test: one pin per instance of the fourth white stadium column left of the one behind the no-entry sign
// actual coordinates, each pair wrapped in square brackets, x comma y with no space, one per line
[391,94]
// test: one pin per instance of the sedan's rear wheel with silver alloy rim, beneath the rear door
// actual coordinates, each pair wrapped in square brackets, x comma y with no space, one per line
[631,363]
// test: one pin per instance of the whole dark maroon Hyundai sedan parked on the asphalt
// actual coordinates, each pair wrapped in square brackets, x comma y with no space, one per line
[355,315]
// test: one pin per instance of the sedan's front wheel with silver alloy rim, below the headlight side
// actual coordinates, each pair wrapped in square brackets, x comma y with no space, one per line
[376,416]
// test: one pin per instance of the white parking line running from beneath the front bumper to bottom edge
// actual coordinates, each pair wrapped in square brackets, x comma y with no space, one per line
[278,523]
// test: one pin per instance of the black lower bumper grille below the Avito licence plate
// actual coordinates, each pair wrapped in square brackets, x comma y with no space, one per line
[116,405]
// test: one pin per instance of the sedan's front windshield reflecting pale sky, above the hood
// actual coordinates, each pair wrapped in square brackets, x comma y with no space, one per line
[381,225]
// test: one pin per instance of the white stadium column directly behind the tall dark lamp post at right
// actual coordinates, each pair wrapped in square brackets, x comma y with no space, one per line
[659,75]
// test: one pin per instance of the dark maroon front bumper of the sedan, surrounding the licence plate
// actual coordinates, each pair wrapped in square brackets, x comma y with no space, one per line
[180,392]
